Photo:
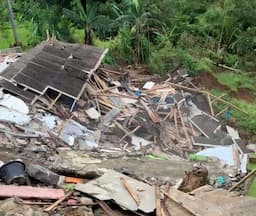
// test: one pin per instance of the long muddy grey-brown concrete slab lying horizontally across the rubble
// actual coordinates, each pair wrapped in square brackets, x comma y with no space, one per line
[84,165]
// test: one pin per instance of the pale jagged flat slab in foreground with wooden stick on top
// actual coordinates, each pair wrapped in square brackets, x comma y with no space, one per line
[109,187]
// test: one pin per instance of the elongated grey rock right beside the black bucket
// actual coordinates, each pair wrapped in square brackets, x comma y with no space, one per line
[43,175]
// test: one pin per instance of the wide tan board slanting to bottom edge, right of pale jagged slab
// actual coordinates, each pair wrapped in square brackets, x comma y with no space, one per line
[194,205]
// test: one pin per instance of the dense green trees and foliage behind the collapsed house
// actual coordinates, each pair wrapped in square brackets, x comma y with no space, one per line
[157,33]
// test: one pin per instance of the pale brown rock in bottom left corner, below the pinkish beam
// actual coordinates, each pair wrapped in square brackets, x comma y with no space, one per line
[10,208]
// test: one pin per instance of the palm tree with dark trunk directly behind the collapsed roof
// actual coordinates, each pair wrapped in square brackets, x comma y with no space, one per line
[85,16]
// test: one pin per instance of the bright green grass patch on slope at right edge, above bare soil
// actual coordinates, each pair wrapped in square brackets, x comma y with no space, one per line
[234,81]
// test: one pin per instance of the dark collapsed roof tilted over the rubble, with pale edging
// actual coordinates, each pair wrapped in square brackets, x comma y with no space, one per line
[60,66]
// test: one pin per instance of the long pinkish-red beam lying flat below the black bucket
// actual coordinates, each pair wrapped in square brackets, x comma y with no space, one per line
[27,192]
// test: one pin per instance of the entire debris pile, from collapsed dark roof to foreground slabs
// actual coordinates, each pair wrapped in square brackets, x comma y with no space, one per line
[61,108]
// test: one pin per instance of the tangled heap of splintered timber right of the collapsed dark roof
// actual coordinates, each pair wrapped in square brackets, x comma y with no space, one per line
[154,109]
